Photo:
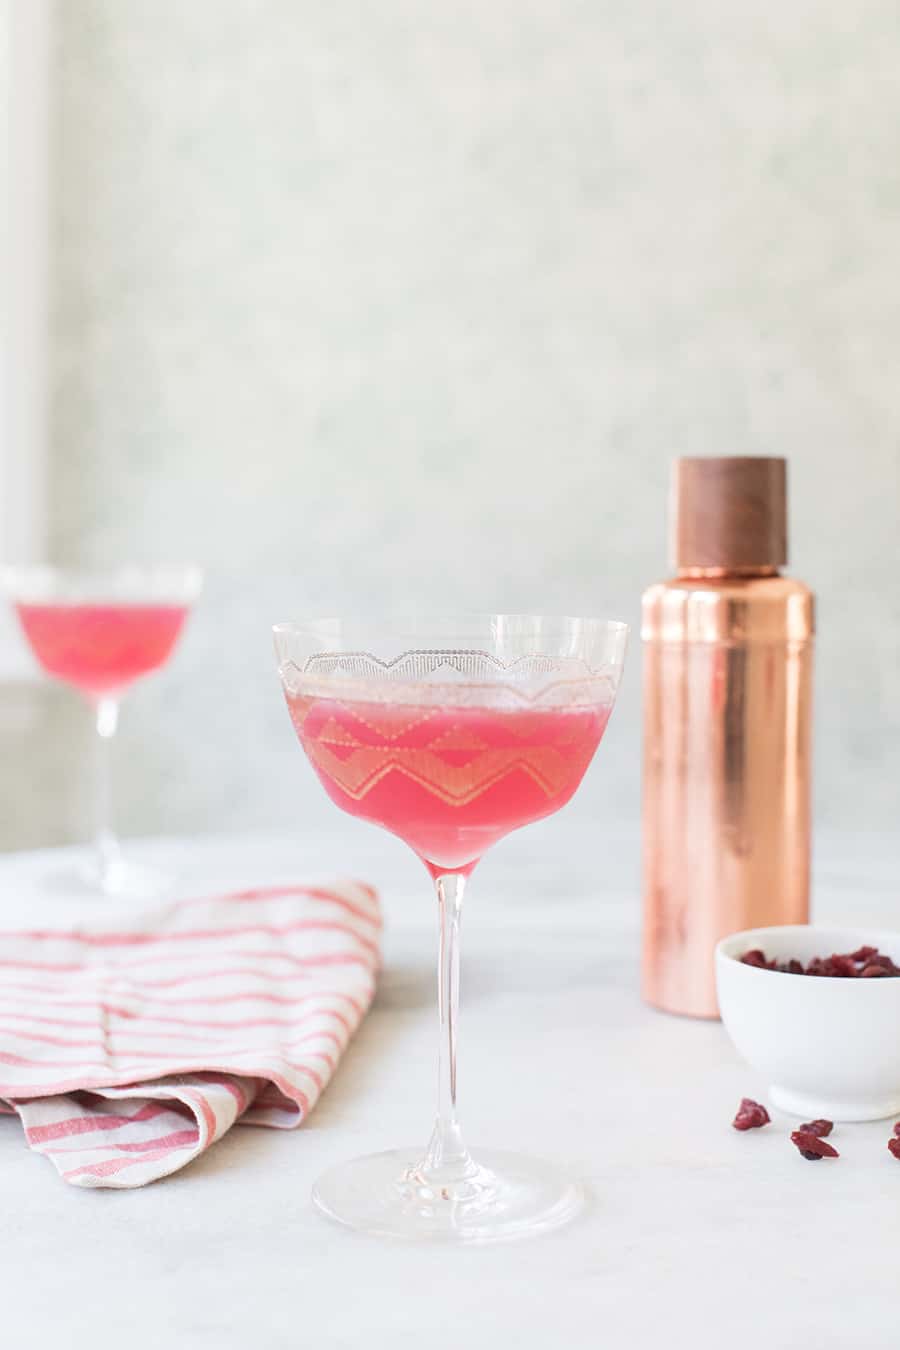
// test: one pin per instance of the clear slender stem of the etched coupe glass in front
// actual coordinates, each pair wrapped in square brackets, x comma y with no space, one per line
[447,1154]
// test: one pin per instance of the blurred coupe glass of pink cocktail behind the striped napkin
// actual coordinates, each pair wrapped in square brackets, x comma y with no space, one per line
[101,632]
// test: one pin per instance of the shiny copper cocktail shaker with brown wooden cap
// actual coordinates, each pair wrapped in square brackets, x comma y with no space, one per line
[728,697]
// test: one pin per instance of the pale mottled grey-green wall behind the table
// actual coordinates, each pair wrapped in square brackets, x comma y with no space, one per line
[411,304]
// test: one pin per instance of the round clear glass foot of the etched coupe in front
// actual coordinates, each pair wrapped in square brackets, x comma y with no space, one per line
[503,1197]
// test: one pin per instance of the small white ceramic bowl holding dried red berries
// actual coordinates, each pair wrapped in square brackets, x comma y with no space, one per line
[828,1047]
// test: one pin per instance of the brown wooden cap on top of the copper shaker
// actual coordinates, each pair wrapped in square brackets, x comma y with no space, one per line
[731,512]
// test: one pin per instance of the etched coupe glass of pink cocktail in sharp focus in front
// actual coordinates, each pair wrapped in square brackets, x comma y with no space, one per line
[450,734]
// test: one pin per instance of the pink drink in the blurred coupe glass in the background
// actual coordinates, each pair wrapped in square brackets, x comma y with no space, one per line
[101,649]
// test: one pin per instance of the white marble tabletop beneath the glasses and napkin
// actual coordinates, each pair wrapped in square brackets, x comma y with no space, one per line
[697,1236]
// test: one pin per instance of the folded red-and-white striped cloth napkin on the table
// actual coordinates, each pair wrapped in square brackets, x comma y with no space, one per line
[128,1051]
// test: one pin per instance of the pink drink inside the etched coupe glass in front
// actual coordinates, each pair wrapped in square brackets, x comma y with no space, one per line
[449,781]
